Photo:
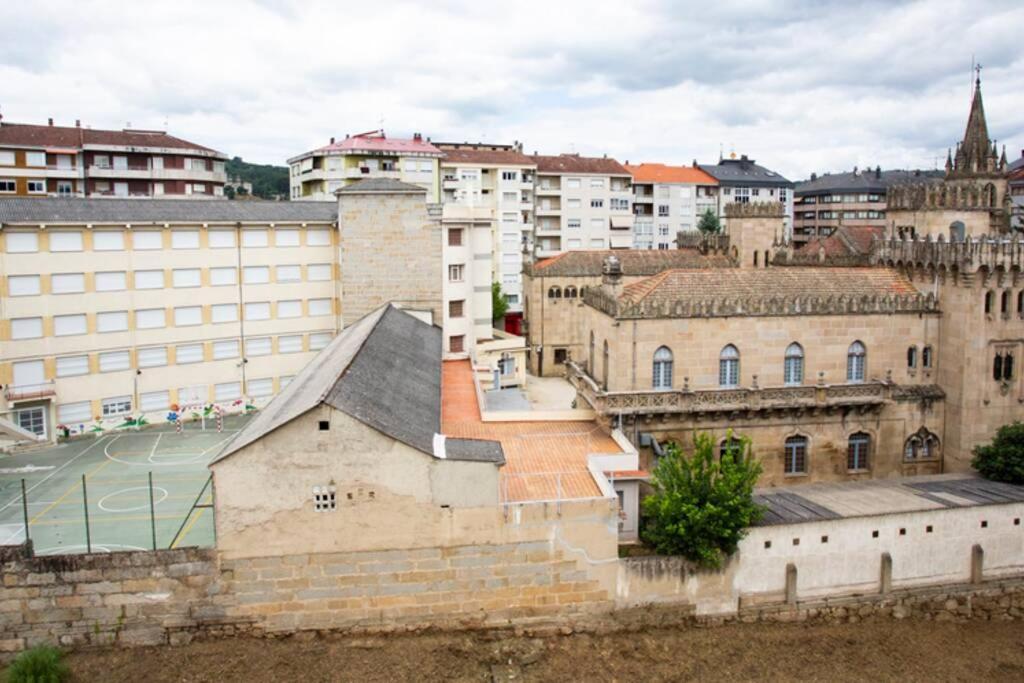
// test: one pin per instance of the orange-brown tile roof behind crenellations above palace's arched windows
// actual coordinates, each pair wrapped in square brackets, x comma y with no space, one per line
[703,285]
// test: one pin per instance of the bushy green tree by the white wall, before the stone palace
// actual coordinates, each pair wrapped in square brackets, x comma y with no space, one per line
[702,505]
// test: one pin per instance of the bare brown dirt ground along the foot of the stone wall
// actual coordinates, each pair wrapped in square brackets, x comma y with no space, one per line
[875,652]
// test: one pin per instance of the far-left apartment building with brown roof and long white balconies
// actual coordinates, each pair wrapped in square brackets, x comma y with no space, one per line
[78,162]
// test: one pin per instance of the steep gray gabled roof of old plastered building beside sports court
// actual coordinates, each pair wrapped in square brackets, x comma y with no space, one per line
[386,371]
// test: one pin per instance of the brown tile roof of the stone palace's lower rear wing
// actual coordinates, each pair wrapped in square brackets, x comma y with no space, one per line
[635,263]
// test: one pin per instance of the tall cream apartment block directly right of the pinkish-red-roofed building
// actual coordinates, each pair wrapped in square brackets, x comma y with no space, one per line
[498,179]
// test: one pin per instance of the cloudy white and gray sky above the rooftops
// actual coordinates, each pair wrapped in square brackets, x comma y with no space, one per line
[800,87]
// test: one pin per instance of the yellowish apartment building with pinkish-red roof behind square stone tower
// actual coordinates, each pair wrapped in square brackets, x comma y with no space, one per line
[317,176]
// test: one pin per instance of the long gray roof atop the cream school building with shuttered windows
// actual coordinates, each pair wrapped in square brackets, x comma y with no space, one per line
[57,210]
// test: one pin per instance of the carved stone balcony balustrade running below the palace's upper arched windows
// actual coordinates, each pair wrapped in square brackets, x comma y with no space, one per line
[713,401]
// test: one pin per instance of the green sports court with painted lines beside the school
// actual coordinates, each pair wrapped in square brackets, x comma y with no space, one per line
[116,498]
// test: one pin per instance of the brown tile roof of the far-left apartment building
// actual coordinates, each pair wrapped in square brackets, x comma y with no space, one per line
[67,137]
